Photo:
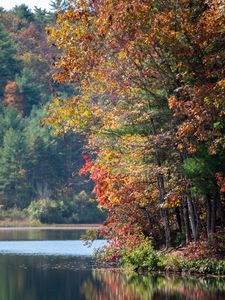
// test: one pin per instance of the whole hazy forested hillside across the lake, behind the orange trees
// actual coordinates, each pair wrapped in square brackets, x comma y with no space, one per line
[38,171]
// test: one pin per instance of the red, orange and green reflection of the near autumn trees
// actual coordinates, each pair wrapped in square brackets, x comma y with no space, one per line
[110,285]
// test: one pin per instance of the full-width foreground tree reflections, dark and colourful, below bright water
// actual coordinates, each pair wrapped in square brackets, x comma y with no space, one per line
[77,278]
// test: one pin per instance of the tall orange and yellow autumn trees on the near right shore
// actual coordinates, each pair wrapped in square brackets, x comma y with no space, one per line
[151,99]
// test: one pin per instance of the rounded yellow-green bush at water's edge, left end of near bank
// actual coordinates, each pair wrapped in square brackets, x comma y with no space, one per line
[142,255]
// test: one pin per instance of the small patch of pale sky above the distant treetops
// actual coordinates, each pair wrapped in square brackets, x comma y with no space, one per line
[8,4]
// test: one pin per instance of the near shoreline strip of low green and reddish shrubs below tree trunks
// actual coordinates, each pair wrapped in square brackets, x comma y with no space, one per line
[190,259]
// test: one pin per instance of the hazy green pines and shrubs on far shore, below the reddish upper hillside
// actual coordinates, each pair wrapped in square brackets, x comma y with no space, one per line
[37,165]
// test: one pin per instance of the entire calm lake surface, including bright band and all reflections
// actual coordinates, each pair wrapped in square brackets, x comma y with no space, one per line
[55,265]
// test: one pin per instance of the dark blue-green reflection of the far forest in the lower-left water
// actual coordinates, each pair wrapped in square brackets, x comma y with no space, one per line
[42,278]
